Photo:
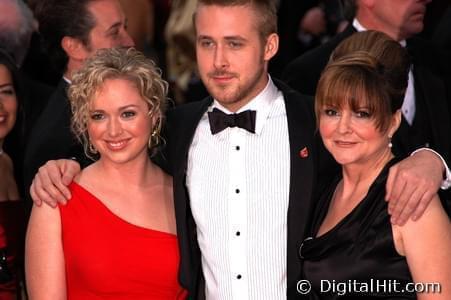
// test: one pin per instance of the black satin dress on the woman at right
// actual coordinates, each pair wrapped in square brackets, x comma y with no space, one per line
[356,258]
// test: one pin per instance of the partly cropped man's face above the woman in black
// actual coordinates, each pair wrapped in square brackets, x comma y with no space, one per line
[400,19]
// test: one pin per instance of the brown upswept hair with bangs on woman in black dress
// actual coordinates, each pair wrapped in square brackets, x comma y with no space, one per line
[368,69]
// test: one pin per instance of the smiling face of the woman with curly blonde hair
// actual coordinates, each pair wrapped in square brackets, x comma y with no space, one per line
[119,126]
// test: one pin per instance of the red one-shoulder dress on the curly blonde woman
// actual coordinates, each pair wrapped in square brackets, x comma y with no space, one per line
[107,257]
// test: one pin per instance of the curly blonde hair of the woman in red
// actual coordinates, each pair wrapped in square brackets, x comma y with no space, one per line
[114,63]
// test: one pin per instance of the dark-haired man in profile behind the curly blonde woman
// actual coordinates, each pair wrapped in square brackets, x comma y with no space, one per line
[72,30]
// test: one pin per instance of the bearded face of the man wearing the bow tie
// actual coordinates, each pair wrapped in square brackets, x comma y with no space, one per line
[231,57]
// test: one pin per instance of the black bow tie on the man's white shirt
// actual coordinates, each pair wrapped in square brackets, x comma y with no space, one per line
[219,120]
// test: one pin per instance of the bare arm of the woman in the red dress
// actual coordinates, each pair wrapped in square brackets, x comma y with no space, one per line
[44,257]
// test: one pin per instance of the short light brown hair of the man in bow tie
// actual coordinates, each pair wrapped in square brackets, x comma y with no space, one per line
[265,11]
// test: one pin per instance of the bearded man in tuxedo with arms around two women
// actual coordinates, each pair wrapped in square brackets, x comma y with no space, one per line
[244,162]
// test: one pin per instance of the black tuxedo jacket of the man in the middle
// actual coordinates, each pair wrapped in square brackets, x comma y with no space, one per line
[182,123]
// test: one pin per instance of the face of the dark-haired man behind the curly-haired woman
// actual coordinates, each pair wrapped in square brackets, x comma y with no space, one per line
[110,26]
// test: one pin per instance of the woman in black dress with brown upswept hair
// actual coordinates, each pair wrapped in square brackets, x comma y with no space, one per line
[353,249]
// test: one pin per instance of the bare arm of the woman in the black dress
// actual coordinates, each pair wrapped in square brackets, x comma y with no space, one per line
[426,243]
